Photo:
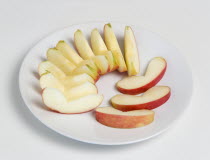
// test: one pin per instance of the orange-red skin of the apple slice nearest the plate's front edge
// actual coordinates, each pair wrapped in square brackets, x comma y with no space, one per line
[123,121]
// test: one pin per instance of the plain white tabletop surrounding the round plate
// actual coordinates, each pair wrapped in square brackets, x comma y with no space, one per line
[23,23]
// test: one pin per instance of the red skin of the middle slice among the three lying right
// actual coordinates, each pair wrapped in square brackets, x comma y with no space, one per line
[150,105]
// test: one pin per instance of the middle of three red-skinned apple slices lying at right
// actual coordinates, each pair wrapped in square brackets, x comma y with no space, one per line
[152,98]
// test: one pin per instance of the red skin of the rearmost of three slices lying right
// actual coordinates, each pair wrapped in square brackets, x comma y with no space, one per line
[144,88]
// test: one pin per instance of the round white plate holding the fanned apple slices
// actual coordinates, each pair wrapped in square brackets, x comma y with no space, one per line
[84,127]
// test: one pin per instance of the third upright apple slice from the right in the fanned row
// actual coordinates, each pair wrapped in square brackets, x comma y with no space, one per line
[99,48]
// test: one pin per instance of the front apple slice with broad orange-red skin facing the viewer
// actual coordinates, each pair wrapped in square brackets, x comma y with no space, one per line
[111,117]
